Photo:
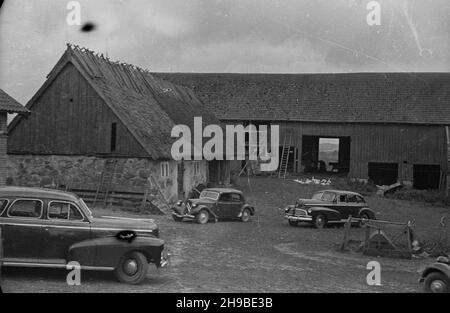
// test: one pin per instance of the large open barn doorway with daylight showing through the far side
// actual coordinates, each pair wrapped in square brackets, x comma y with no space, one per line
[321,154]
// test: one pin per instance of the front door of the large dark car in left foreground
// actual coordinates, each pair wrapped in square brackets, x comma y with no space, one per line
[65,225]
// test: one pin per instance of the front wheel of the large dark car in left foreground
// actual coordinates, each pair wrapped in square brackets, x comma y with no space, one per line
[132,268]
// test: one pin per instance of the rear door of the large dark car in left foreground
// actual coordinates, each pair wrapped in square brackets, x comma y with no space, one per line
[21,222]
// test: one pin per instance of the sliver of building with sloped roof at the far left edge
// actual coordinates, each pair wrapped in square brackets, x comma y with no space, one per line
[8,105]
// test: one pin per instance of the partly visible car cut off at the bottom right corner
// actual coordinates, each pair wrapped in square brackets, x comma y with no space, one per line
[436,277]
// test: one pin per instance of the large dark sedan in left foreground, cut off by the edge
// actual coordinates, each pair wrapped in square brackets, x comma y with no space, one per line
[49,228]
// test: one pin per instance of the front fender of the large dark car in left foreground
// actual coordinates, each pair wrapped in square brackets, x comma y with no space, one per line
[107,251]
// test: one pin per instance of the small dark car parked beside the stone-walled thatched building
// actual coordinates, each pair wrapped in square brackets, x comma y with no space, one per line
[214,204]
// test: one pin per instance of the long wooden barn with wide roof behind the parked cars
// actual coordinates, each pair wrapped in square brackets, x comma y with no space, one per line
[385,127]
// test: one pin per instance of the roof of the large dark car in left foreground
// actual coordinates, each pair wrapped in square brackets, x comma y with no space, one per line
[28,192]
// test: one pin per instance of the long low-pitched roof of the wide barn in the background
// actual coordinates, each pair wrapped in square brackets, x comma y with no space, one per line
[357,97]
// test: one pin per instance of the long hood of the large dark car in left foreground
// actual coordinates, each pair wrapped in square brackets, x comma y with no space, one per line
[121,224]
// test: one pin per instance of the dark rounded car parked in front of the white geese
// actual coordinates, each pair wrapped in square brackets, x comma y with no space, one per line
[327,207]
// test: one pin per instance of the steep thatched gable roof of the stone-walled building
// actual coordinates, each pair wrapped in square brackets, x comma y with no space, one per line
[147,105]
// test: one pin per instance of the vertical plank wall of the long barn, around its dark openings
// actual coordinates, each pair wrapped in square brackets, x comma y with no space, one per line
[391,143]
